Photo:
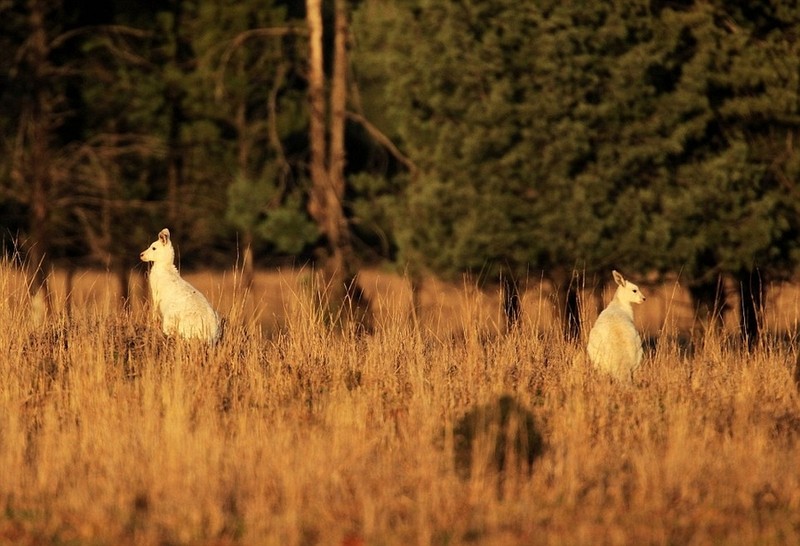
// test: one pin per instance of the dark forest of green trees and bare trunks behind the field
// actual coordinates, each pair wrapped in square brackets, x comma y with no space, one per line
[498,138]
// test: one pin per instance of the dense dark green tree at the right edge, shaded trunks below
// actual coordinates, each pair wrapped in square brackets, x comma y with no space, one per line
[729,205]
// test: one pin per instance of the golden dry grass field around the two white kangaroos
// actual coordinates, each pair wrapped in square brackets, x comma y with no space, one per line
[293,432]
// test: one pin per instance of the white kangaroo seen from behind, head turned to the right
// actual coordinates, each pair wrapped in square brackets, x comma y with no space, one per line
[614,344]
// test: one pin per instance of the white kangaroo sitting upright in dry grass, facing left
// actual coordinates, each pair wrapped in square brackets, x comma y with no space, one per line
[184,310]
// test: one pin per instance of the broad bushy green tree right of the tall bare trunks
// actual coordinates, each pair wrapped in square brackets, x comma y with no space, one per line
[502,108]
